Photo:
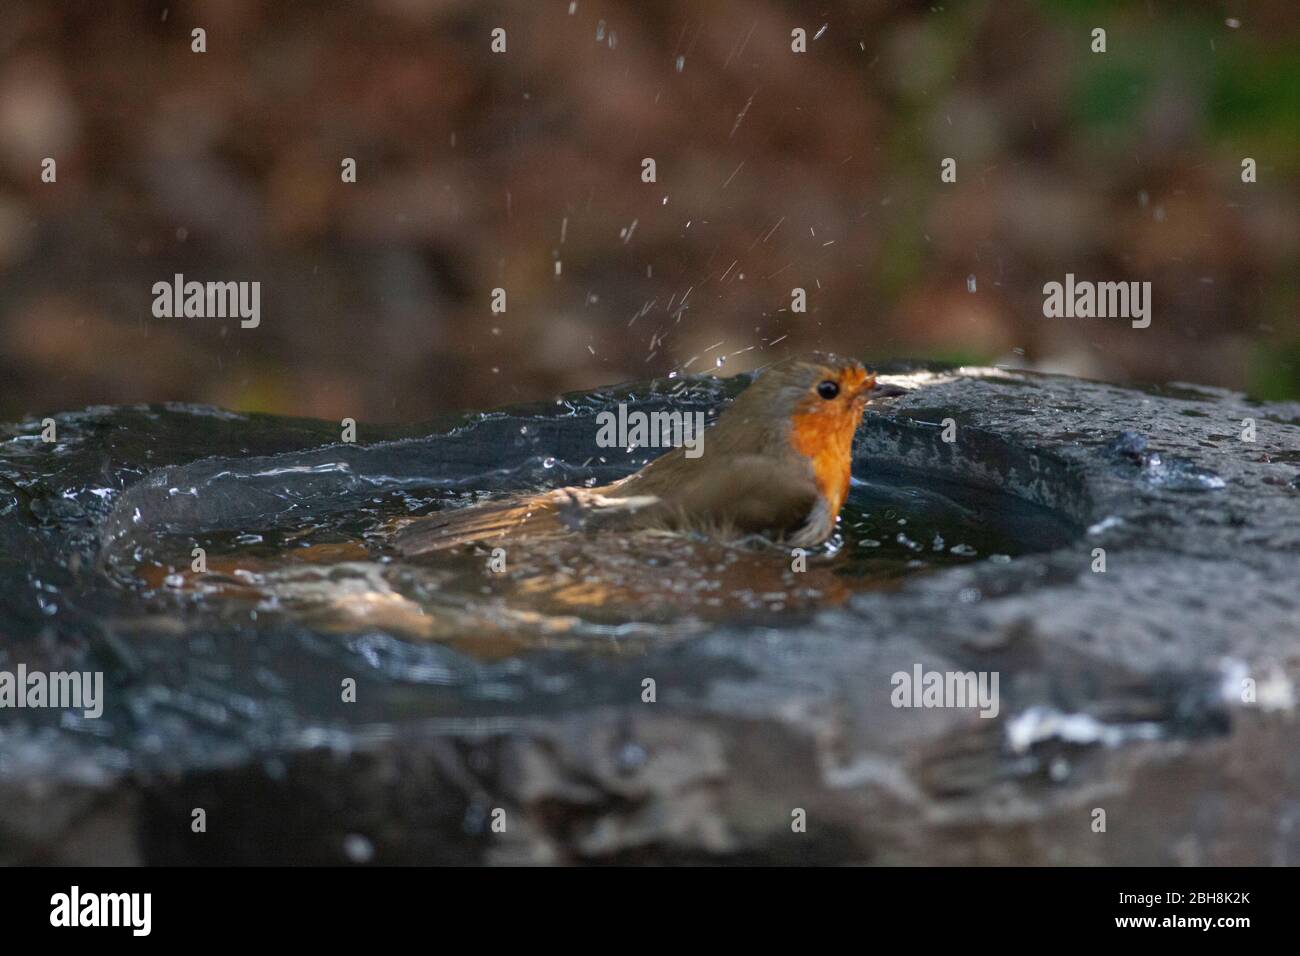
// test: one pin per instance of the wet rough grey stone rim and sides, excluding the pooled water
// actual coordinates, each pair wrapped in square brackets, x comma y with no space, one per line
[1120,691]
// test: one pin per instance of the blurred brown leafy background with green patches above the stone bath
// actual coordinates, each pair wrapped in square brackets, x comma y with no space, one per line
[523,171]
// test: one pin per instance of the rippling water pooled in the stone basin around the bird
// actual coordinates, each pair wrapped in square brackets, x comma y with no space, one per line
[339,572]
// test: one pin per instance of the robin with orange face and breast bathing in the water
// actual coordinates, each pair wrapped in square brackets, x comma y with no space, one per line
[775,465]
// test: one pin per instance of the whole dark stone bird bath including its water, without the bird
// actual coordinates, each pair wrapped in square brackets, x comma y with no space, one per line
[970,543]
